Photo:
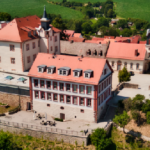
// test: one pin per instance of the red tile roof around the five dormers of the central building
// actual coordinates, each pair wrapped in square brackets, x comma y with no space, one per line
[71,62]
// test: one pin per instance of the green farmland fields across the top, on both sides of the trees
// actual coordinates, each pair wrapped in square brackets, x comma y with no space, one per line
[124,8]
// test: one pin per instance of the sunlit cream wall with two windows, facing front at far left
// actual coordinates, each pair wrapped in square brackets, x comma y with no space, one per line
[6,54]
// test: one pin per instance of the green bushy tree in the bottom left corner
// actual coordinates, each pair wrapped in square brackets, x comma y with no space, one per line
[6,141]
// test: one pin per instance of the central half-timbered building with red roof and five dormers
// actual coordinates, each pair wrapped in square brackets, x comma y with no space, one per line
[70,87]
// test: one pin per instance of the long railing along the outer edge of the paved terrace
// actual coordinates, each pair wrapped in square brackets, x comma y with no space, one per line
[41,128]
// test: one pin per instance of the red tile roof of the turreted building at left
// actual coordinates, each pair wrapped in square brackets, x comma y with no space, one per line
[13,31]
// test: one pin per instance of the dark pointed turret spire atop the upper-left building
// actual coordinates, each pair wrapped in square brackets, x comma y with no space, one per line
[45,21]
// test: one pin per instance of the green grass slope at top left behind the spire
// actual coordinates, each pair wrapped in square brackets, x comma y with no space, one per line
[23,8]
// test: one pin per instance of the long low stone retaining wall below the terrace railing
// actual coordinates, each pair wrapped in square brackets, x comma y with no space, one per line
[47,135]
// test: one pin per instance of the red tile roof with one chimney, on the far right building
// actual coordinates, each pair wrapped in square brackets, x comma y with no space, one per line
[126,51]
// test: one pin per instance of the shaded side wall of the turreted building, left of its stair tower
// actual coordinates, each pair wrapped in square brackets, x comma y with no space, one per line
[30,53]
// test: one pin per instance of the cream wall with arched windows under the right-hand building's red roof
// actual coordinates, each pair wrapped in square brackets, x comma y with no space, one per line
[141,64]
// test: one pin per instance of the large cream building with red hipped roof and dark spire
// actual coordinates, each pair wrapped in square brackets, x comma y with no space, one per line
[23,38]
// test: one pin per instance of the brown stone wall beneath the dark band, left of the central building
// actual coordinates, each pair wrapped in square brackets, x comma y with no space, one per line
[13,99]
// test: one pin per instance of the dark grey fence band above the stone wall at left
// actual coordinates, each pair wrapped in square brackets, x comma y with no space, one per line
[13,89]
